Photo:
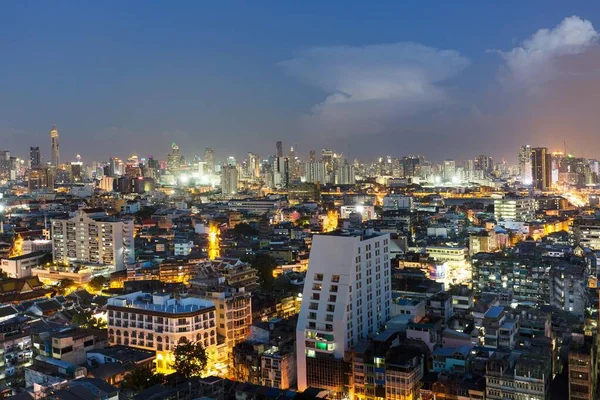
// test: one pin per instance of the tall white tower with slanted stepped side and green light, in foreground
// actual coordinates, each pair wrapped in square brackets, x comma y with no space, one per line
[346,298]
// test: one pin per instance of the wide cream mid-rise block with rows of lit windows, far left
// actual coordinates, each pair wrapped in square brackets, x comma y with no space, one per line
[93,237]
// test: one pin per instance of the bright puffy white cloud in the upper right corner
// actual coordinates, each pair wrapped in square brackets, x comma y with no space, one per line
[535,61]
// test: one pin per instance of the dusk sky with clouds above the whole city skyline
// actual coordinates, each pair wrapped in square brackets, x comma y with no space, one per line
[443,79]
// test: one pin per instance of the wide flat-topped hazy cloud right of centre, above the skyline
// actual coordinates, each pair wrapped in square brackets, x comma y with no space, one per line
[369,87]
